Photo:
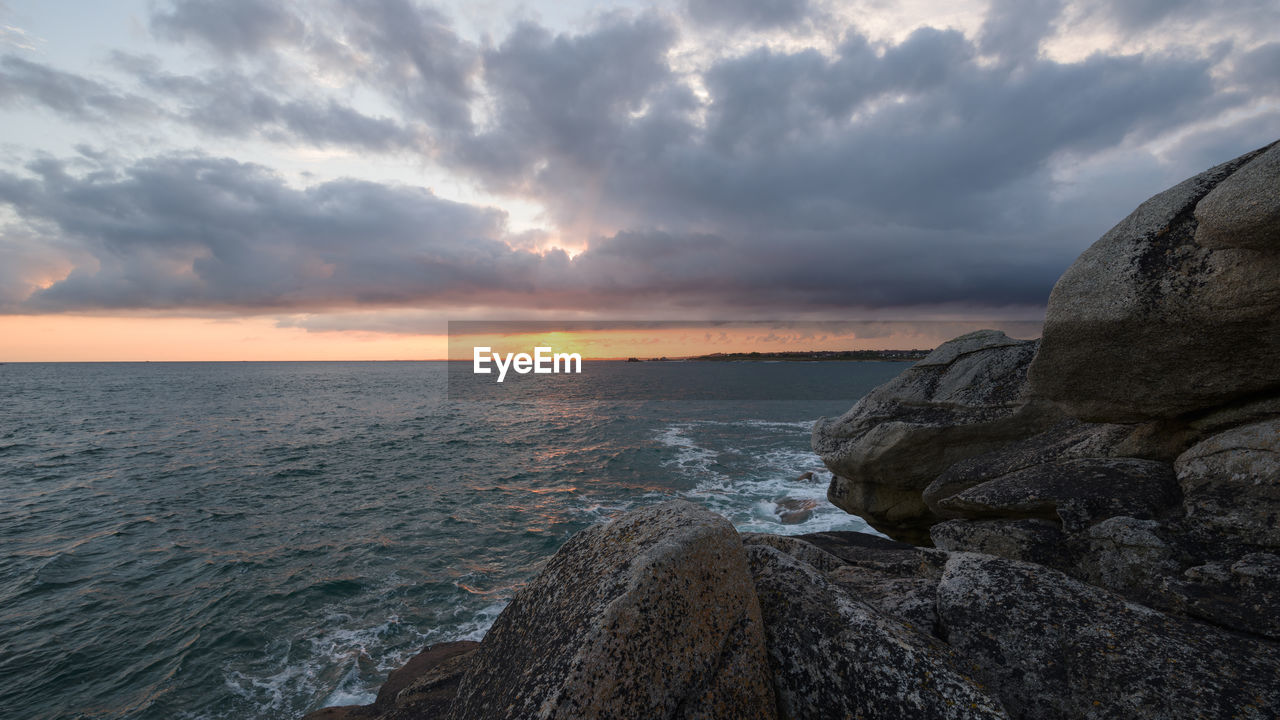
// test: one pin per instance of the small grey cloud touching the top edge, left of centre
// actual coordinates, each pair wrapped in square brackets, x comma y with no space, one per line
[228,28]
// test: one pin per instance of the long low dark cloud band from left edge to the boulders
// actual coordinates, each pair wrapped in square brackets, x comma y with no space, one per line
[205,234]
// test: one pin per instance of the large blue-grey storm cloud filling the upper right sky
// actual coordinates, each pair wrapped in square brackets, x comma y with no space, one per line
[920,134]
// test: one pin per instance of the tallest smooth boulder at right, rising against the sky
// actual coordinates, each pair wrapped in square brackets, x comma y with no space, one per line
[1149,323]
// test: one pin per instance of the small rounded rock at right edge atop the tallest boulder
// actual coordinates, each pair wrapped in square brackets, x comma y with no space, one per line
[1245,209]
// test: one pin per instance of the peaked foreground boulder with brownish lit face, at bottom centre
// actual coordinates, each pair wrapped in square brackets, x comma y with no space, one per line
[652,616]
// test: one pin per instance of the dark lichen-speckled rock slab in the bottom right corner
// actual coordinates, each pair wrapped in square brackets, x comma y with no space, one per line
[1055,648]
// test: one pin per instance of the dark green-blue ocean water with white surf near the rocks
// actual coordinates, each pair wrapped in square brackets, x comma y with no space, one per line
[260,540]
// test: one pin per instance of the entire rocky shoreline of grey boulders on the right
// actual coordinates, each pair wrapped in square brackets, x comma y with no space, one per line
[1086,526]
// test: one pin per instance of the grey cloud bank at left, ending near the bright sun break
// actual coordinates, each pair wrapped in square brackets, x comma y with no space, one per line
[204,233]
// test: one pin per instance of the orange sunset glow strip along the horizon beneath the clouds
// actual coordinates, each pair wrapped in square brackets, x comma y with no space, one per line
[76,339]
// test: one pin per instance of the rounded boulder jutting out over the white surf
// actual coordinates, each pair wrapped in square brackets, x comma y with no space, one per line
[967,398]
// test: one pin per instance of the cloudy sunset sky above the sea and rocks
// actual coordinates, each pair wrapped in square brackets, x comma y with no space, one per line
[253,180]
